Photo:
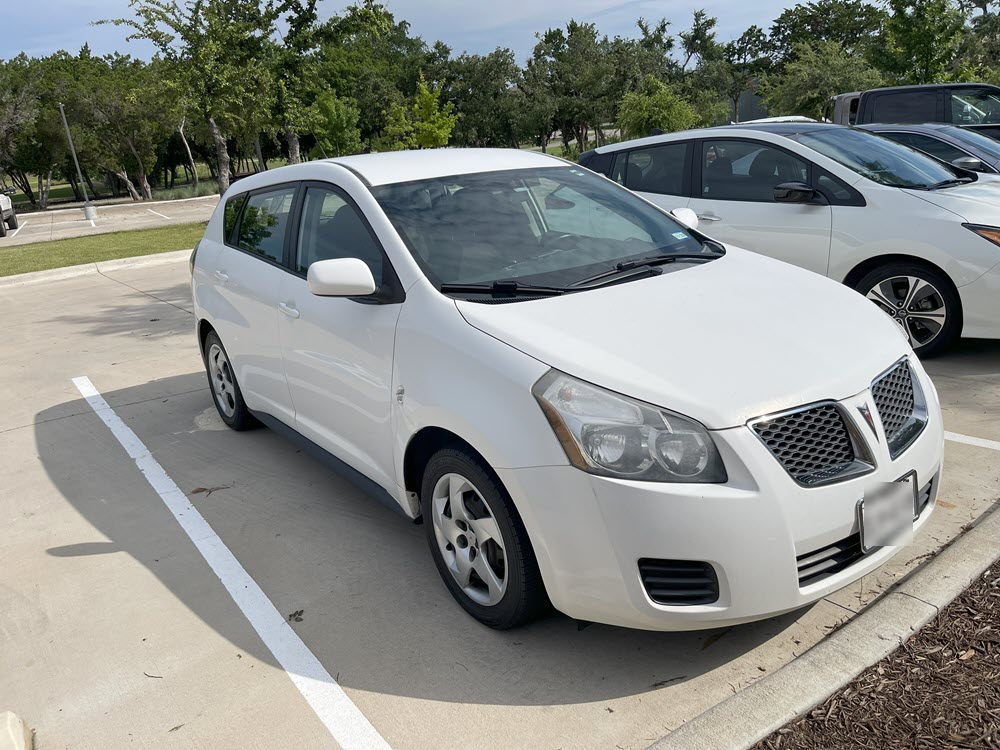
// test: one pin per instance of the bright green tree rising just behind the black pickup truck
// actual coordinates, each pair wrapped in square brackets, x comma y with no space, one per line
[922,40]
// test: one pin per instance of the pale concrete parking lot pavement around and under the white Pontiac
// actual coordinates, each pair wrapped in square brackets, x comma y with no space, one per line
[116,630]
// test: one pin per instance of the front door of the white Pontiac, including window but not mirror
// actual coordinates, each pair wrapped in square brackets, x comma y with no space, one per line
[338,350]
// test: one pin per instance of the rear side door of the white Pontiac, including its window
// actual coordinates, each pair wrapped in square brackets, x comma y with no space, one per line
[248,273]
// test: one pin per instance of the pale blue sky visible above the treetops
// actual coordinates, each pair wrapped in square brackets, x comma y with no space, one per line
[39,27]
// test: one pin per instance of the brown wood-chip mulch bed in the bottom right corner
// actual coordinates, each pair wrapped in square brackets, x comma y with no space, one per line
[941,689]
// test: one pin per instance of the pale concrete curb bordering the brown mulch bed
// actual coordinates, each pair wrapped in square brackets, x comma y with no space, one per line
[768,704]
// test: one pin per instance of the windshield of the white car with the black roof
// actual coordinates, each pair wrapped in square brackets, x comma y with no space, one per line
[878,158]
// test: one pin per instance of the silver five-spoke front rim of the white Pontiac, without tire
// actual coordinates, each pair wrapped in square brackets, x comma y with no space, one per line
[469,539]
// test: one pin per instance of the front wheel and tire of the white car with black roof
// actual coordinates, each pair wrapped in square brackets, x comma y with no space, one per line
[931,318]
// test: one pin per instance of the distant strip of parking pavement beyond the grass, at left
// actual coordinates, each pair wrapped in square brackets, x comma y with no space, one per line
[64,223]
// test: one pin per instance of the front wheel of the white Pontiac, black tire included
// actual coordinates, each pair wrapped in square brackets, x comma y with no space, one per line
[465,540]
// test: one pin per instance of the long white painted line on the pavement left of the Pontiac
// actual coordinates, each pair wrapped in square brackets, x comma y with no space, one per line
[341,717]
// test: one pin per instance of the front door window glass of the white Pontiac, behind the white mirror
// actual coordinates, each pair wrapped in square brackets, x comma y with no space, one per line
[331,228]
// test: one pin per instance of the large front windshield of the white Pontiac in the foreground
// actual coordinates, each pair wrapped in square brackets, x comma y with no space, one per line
[552,226]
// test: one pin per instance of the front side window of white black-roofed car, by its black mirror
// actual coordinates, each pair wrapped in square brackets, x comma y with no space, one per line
[746,171]
